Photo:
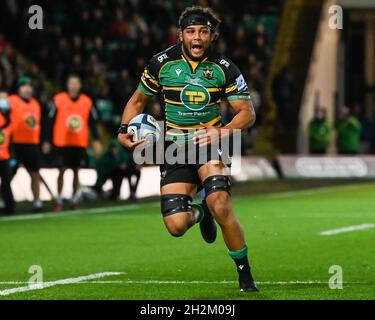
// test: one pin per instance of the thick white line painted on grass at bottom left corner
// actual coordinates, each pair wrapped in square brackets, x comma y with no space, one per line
[43,285]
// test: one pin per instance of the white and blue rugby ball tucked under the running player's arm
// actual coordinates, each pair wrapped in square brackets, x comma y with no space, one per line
[145,127]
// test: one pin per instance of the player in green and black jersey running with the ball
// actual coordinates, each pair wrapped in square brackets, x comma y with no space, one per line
[192,78]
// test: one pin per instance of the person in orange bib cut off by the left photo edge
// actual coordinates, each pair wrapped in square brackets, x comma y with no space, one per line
[5,170]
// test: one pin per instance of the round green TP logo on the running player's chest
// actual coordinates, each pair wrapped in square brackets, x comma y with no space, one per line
[195,97]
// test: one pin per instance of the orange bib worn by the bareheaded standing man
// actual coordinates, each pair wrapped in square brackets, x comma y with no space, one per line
[71,127]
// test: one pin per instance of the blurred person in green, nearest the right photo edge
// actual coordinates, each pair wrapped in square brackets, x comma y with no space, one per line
[348,130]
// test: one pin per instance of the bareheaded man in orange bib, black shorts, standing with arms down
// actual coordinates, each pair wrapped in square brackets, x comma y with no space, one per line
[71,119]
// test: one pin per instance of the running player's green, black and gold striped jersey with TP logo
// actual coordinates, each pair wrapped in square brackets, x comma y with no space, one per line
[192,91]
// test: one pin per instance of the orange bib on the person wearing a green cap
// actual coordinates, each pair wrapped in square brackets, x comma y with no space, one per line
[25,120]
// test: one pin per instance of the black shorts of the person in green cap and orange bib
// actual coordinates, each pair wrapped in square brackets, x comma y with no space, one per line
[29,155]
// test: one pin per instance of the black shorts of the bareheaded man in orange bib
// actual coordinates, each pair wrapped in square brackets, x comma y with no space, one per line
[71,157]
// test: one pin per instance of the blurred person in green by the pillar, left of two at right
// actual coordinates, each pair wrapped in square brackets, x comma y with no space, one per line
[319,132]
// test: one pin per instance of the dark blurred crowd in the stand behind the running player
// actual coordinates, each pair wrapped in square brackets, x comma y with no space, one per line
[108,43]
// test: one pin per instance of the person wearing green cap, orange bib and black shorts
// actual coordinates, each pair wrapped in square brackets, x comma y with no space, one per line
[25,121]
